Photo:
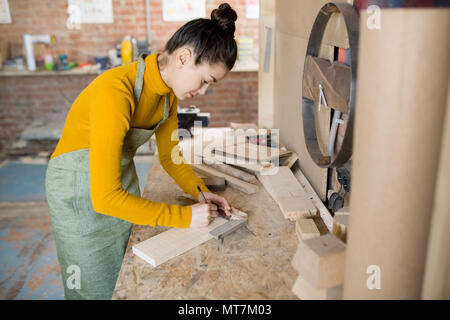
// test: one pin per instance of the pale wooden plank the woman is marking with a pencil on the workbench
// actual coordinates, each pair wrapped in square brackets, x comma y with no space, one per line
[174,242]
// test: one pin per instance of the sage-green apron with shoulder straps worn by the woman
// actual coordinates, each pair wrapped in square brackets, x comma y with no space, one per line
[90,245]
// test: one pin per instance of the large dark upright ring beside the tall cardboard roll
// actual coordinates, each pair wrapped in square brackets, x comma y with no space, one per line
[352,24]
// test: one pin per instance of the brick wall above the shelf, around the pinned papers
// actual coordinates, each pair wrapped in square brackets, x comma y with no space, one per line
[50,16]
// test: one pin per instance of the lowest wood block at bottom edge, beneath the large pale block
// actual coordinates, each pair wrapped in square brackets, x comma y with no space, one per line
[303,290]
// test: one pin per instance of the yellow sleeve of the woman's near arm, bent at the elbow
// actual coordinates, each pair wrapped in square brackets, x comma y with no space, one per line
[110,114]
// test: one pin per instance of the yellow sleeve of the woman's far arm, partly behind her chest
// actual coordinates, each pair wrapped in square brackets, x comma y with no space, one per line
[180,171]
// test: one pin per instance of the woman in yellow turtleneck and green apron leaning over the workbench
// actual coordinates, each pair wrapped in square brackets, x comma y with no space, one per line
[91,184]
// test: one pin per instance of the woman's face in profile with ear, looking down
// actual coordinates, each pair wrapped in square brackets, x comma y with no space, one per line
[189,80]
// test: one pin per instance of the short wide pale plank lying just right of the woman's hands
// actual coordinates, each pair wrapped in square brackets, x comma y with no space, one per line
[288,193]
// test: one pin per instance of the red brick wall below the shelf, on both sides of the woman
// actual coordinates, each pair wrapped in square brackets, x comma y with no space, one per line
[27,98]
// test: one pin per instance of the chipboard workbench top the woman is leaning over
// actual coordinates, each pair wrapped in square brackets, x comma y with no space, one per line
[247,265]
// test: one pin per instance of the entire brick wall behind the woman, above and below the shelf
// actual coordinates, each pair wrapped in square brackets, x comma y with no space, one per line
[24,99]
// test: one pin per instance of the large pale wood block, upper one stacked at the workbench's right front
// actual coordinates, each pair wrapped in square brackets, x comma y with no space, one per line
[321,261]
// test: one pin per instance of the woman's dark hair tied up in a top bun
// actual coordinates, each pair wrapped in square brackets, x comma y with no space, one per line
[211,39]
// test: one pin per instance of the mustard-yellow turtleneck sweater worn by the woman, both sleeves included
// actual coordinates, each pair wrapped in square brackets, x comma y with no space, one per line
[99,120]
